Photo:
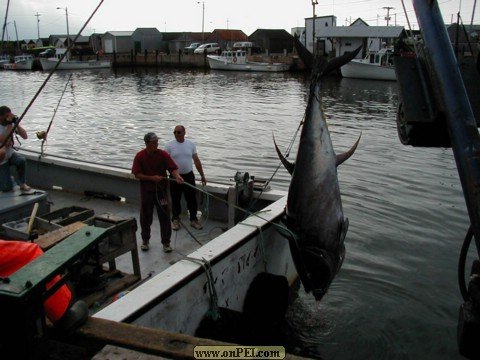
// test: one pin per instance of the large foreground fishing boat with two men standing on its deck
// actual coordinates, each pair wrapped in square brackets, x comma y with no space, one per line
[209,271]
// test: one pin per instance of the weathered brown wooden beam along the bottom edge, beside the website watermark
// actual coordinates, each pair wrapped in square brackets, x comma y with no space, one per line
[148,340]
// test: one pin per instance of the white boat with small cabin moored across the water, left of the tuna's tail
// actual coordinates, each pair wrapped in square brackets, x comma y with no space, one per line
[236,60]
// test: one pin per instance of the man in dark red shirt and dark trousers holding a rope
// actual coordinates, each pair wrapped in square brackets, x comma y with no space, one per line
[150,166]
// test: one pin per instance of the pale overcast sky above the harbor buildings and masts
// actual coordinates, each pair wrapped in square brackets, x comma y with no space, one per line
[187,15]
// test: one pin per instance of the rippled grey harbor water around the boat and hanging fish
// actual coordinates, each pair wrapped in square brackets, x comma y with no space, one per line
[397,294]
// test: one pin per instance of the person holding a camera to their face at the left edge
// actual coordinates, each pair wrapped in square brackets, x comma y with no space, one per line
[8,156]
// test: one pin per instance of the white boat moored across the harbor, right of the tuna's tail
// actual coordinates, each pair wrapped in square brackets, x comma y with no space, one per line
[377,65]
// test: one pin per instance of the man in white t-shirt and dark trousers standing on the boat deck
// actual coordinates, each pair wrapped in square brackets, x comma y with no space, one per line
[183,151]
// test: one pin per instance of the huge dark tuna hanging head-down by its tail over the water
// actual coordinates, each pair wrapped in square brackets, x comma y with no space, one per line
[314,214]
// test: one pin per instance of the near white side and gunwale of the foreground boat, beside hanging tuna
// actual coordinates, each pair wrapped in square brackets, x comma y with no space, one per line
[177,300]
